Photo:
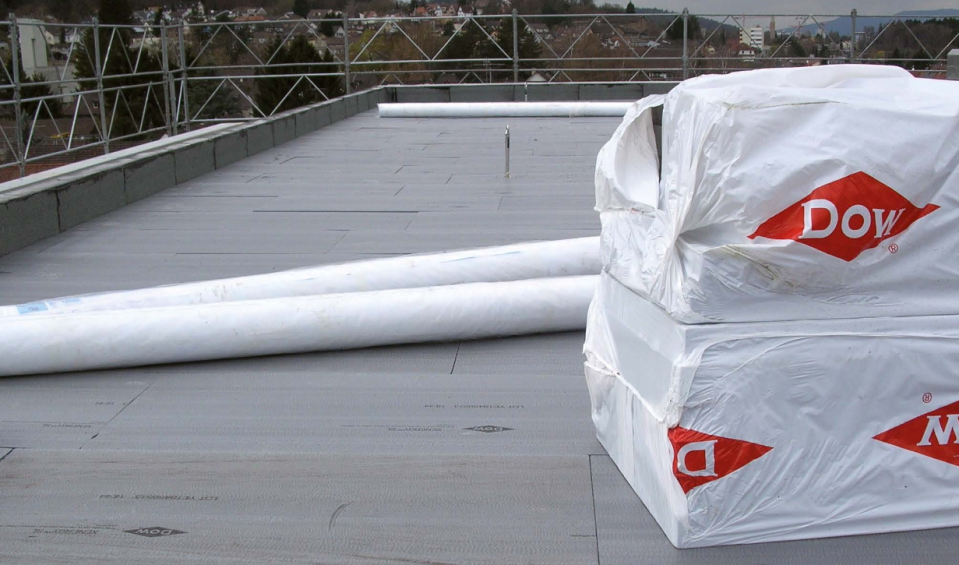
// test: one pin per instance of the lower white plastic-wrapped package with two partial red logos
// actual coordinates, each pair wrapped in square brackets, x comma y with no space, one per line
[770,431]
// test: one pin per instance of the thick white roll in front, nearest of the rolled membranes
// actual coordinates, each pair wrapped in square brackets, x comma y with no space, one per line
[52,343]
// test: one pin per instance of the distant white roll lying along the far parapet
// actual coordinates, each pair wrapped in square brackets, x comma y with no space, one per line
[504,109]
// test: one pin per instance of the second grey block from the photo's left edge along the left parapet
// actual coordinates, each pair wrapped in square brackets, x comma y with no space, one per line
[95,196]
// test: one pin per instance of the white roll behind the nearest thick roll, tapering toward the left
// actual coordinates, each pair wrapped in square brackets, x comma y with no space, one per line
[559,258]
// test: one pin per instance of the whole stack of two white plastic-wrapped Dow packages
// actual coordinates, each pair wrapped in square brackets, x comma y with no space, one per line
[773,349]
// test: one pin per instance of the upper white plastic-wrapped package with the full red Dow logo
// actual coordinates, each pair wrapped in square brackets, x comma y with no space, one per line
[822,192]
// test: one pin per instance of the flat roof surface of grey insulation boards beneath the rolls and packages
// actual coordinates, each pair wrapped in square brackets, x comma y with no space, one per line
[366,456]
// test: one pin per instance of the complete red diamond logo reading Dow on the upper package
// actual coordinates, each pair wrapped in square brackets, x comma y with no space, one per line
[845,217]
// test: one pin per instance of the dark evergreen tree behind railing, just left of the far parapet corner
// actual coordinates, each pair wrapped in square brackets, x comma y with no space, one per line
[277,94]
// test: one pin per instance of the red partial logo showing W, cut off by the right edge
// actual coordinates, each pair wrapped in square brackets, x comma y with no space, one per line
[934,434]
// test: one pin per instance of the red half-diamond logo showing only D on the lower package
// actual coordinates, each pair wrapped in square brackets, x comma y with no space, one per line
[700,458]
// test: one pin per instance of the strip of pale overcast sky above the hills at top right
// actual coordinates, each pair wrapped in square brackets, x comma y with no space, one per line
[865,7]
